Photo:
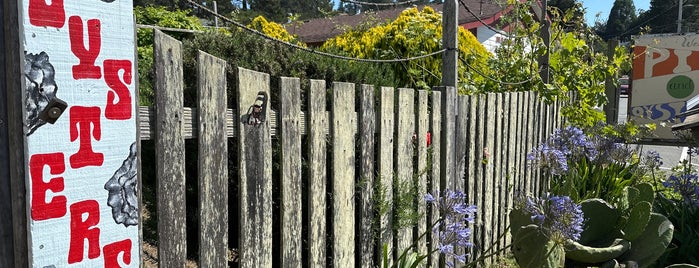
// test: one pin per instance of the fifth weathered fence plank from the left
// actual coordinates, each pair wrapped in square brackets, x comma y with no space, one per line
[317,176]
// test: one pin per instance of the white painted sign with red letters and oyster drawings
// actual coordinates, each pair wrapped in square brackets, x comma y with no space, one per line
[81,169]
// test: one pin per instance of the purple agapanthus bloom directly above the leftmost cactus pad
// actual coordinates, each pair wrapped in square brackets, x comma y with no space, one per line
[559,216]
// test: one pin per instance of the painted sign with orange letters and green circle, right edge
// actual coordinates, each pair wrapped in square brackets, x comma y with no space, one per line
[665,75]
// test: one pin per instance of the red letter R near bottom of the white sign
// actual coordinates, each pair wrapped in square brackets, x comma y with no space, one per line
[81,230]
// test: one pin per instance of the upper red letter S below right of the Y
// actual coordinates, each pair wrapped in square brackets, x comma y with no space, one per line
[121,109]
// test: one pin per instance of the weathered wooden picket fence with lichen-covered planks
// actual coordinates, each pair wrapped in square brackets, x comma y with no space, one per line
[369,137]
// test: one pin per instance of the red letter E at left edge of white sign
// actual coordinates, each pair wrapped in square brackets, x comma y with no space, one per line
[56,208]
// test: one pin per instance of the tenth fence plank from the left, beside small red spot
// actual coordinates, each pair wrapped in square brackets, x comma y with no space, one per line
[422,168]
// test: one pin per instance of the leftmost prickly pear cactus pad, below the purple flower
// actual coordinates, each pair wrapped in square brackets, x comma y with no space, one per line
[532,249]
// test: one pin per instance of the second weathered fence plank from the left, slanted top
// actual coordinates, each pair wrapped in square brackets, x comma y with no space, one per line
[213,162]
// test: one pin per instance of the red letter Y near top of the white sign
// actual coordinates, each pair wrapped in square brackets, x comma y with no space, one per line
[86,68]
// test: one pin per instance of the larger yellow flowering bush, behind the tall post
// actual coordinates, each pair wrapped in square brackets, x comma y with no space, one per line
[414,33]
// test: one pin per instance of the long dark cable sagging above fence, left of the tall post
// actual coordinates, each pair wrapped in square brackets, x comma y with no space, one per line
[294,46]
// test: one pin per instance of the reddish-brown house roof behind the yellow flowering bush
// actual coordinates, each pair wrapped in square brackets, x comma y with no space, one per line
[319,30]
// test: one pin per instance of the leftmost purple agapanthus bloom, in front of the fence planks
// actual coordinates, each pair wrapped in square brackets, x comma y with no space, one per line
[453,229]
